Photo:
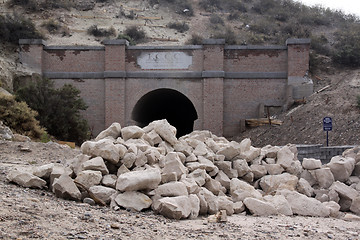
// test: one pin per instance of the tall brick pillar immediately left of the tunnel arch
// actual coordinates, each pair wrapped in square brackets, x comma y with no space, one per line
[115,83]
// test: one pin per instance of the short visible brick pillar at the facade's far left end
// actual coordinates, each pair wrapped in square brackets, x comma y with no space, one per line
[31,53]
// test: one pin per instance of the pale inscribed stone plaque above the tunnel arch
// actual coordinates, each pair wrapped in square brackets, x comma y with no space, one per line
[164,60]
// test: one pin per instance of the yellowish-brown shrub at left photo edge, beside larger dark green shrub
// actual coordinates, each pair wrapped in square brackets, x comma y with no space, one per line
[19,117]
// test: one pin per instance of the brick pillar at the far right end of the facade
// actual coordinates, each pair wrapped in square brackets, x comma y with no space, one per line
[298,67]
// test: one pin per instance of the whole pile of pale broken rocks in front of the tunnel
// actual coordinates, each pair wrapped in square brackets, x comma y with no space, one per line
[199,174]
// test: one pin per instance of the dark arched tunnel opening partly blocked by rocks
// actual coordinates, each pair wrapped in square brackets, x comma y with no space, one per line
[167,104]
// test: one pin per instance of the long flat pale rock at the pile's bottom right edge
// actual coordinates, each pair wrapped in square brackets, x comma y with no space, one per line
[303,205]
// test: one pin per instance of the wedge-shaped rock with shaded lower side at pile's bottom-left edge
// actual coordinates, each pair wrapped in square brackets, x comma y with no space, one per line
[64,187]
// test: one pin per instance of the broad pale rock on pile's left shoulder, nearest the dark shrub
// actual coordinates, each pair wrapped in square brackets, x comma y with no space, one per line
[104,148]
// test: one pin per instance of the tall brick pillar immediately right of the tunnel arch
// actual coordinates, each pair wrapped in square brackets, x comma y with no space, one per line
[213,85]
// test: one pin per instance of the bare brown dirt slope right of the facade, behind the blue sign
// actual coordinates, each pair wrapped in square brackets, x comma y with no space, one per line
[303,123]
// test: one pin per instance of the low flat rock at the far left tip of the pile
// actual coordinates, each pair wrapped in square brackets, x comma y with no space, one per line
[25,179]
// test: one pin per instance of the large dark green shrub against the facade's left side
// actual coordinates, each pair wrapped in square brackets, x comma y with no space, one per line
[59,109]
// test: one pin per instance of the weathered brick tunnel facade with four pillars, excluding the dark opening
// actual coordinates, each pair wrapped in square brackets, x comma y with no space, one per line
[224,83]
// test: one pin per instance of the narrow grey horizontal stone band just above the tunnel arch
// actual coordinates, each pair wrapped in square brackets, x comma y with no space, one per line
[167,74]
